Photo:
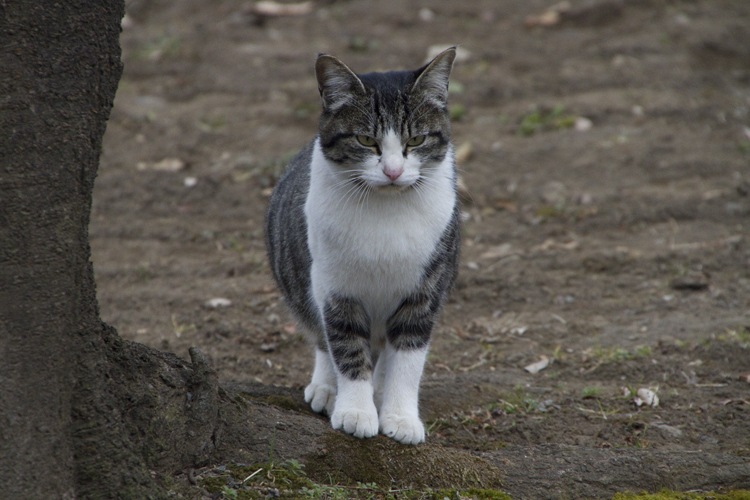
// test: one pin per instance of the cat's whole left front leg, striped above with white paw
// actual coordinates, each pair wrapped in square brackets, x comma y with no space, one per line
[348,334]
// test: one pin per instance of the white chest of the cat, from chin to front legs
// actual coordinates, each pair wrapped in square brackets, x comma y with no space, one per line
[372,249]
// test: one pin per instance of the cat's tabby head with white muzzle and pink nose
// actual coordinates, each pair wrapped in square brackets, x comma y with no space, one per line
[387,130]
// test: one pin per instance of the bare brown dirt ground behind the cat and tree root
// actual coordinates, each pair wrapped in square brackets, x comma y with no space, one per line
[605,160]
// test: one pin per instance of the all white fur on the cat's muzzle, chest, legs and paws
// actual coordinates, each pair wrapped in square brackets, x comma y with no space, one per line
[374,248]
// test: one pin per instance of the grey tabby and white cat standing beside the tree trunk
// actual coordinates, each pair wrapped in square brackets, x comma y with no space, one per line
[363,235]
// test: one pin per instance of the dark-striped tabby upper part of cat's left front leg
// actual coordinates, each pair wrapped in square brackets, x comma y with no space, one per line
[348,333]
